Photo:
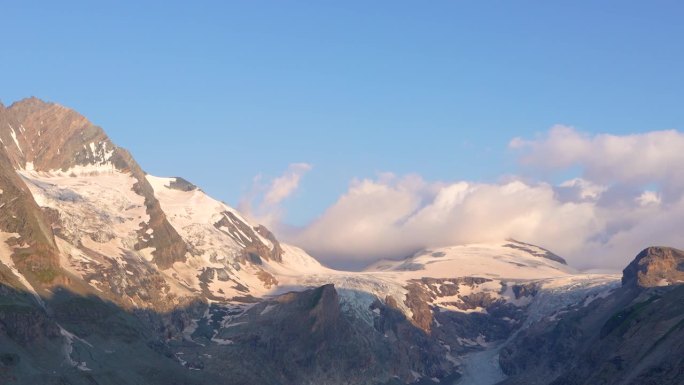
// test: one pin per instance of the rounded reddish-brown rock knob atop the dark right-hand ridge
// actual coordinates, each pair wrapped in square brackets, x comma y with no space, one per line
[655,266]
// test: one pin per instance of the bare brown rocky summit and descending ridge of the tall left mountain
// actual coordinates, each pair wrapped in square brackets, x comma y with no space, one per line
[42,136]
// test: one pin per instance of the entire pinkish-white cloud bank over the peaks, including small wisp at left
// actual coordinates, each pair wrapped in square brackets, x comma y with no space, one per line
[629,194]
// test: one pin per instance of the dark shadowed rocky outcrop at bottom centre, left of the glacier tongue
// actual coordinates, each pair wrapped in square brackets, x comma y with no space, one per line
[306,338]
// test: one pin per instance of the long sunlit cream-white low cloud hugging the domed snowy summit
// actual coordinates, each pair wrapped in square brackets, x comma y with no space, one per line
[379,219]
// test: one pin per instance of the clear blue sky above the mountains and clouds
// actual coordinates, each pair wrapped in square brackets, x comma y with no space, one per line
[219,92]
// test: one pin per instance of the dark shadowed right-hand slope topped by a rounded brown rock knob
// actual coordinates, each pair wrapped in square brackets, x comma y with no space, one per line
[635,335]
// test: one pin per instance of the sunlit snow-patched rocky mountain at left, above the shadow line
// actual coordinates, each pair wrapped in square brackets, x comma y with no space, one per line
[138,240]
